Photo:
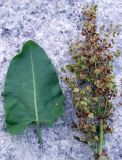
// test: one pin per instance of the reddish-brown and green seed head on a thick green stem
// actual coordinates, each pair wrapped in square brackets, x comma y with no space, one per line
[92,82]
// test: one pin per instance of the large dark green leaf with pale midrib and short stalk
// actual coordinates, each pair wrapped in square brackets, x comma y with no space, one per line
[32,93]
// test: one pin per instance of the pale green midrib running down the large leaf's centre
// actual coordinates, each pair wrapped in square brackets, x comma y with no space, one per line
[34,89]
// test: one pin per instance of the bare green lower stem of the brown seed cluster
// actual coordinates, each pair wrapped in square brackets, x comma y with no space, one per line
[100,145]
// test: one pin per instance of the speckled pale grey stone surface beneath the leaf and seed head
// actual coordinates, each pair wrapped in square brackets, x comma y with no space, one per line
[52,24]
